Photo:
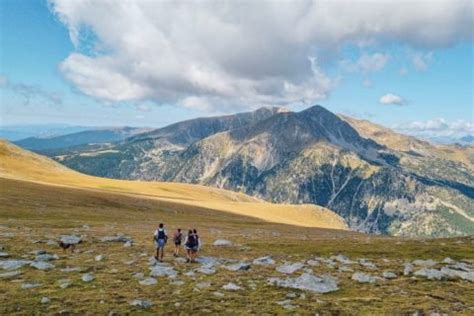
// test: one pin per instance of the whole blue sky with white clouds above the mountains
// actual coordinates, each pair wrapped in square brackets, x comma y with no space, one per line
[403,64]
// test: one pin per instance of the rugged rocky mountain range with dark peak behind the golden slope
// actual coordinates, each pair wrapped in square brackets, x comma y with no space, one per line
[379,181]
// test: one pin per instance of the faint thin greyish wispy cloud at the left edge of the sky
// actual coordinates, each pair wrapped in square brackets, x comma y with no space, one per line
[29,93]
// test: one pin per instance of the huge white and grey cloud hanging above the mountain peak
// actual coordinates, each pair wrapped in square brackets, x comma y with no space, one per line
[216,55]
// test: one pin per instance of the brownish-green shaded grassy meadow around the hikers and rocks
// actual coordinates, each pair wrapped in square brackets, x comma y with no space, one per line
[33,217]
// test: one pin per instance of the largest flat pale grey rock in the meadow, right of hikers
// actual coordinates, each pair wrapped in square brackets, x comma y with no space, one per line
[308,282]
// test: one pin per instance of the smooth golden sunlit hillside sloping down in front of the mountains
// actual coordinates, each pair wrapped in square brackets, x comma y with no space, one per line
[16,163]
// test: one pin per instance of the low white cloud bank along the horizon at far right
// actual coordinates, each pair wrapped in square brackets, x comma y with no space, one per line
[438,127]
